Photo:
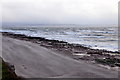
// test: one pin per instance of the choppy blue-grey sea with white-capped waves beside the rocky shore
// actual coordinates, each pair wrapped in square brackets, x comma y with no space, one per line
[93,37]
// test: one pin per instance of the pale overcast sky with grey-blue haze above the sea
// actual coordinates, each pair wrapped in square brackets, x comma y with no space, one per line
[60,11]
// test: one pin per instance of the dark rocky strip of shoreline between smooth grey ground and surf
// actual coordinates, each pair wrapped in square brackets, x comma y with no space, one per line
[75,51]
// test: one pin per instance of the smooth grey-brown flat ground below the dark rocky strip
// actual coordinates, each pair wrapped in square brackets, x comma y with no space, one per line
[34,61]
